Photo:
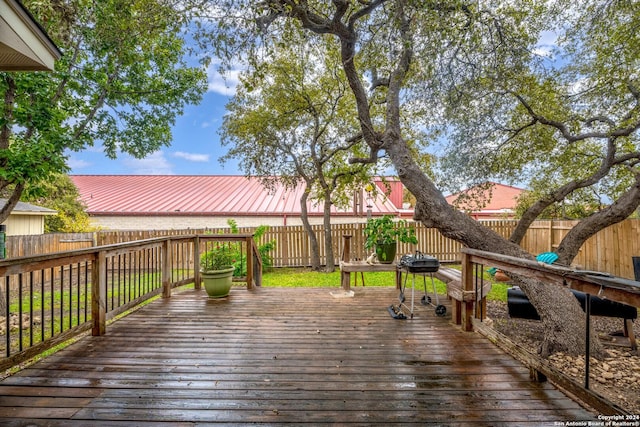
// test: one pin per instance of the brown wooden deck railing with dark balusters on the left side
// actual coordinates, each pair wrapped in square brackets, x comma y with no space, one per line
[48,299]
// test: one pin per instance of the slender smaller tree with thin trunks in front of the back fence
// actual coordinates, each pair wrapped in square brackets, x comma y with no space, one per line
[290,121]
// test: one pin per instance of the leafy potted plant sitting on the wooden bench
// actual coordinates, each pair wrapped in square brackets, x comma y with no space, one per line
[384,233]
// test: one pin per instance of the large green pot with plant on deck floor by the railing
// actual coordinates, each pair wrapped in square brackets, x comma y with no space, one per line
[216,269]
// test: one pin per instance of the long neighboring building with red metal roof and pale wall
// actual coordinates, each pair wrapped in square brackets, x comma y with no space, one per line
[159,202]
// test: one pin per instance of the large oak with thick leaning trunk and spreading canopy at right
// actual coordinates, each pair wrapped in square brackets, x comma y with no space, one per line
[443,61]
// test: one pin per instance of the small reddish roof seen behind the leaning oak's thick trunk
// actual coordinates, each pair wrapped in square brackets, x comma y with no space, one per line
[499,199]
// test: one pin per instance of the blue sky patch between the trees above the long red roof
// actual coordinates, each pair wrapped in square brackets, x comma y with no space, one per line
[195,148]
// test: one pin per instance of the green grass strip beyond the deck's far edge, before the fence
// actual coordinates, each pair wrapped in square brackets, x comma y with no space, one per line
[305,278]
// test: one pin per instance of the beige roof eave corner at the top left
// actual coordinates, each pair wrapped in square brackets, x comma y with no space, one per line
[24,45]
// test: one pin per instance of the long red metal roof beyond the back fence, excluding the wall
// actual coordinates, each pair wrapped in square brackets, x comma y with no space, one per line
[185,195]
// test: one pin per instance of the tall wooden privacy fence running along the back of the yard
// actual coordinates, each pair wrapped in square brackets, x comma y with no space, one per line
[610,250]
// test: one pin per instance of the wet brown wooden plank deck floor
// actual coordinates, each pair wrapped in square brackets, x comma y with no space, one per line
[281,356]
